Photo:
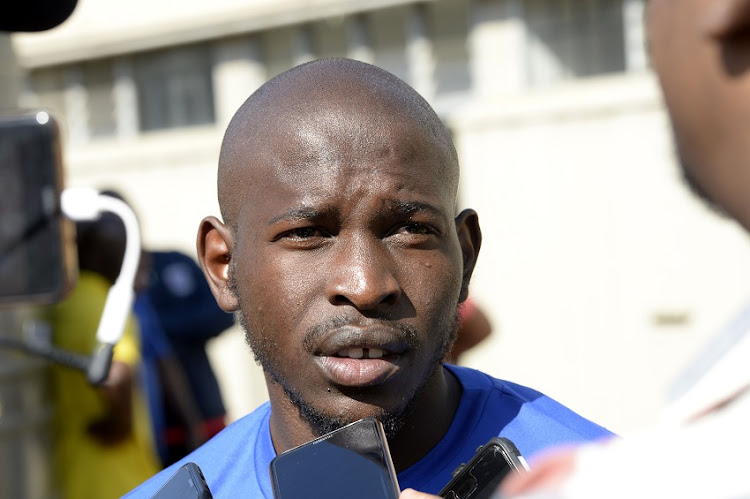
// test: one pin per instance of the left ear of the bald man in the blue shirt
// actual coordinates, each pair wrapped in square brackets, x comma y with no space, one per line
[214,246]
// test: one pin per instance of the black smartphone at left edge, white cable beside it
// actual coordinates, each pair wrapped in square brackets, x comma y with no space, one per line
[37,243]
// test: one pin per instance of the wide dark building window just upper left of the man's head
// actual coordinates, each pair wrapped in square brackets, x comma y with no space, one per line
[174,88]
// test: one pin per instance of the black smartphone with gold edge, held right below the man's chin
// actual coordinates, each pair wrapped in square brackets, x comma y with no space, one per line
[352,461]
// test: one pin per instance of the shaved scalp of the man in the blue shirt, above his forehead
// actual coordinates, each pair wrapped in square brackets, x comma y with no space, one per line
[317,94]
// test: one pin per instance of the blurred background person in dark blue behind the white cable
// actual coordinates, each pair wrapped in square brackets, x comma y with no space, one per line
[181,387]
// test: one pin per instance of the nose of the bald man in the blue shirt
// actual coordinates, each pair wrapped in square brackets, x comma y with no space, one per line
[363,275]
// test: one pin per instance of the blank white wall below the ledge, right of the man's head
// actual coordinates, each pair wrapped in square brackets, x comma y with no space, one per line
[601,272]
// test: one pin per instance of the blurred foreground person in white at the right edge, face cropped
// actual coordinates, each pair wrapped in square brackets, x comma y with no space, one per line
[700,50]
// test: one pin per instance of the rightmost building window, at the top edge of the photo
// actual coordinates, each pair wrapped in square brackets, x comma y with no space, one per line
[569,39]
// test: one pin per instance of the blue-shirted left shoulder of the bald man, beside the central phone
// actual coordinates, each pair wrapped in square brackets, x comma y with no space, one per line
[233,462]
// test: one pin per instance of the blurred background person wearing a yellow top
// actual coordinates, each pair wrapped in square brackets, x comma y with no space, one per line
[103,441]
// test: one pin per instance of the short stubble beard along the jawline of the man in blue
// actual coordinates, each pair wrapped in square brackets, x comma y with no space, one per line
[321,422]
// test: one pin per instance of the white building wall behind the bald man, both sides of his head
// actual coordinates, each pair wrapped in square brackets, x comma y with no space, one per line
[600,272]
